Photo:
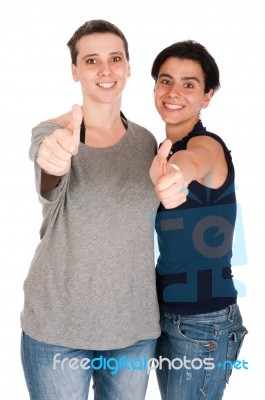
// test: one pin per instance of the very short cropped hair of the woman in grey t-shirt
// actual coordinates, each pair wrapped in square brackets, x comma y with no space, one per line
[95,26]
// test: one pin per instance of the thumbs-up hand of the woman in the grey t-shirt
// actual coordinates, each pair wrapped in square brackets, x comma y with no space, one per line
[57,149]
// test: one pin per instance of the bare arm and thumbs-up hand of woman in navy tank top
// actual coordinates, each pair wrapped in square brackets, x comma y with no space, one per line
[203,161]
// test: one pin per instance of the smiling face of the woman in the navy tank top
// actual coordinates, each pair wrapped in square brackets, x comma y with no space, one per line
[179,93]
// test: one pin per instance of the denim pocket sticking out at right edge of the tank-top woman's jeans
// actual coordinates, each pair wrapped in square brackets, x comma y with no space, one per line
[235,342]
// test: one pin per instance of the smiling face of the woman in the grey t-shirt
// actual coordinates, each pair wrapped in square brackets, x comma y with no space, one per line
[101,67]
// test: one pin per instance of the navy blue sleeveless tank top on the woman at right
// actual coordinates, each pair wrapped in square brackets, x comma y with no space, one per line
[195,244]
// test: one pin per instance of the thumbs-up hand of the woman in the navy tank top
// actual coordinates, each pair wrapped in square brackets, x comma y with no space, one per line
[169,182]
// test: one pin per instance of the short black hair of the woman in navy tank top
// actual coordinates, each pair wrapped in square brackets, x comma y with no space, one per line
[190,50]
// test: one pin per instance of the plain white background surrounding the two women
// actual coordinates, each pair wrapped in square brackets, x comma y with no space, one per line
[36,84]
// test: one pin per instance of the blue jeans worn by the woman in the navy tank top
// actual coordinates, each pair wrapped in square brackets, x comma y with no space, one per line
[191,340]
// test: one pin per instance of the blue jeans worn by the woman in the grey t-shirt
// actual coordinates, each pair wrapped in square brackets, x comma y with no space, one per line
[60,373]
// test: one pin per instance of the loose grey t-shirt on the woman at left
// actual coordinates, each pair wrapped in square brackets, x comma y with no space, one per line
[91,283]
